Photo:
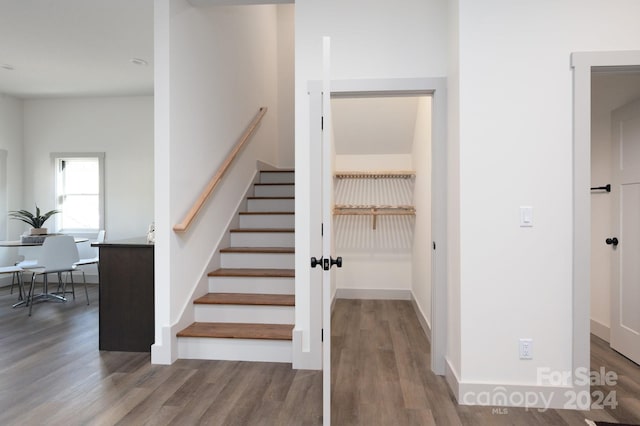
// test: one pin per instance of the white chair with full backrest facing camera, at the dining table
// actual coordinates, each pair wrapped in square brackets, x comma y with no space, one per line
[58,254]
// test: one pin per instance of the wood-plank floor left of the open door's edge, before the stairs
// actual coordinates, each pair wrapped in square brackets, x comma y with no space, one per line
[51,373]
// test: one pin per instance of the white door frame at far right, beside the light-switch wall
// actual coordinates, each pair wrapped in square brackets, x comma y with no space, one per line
[582,64]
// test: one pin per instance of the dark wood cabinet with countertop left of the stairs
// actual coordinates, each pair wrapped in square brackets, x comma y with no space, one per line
[126,295]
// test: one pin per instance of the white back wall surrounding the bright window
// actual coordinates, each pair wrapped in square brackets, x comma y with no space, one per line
[121,127]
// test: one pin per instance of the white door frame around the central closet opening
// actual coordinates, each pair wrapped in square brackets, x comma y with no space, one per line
[435,87]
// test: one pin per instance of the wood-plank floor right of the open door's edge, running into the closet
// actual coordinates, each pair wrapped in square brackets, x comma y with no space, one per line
[381,376]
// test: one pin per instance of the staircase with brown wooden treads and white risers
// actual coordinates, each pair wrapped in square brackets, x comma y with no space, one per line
[248,314]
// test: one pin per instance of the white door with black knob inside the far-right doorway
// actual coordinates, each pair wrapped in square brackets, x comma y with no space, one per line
[625,241]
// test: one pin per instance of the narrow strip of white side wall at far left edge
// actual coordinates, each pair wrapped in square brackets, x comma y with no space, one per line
[11,135]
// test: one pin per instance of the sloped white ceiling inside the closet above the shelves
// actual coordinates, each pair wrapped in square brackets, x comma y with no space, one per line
[374,125]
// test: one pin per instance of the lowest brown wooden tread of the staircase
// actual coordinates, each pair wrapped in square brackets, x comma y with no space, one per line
[238,331]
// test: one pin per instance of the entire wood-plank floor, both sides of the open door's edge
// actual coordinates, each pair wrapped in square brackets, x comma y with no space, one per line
[51,373]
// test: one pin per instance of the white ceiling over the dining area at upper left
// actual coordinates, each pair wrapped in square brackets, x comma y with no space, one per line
[75,47]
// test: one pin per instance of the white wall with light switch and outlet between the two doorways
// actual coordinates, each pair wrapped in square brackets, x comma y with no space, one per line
[516,149]
